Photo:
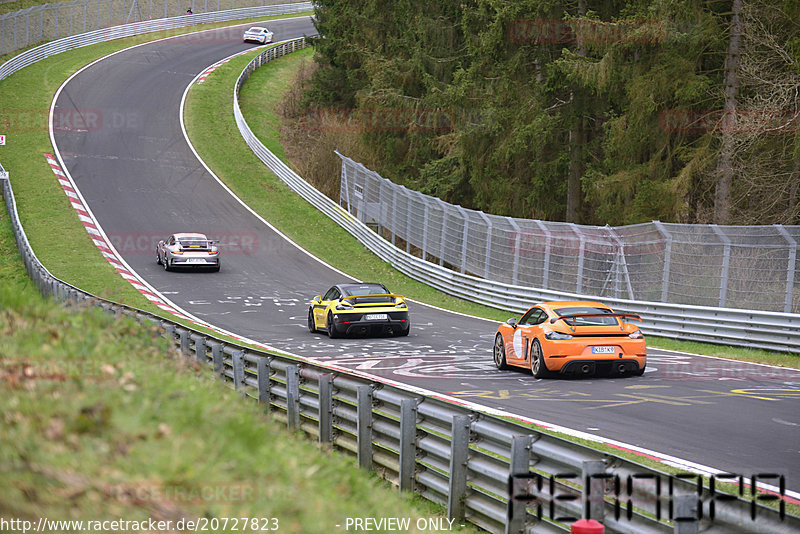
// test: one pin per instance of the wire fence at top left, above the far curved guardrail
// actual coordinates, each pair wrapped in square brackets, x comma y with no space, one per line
[48,22]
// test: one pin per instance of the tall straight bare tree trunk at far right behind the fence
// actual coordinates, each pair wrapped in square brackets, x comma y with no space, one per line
[724,170]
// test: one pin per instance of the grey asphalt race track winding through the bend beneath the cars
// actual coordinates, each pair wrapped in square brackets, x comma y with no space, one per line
[143,182]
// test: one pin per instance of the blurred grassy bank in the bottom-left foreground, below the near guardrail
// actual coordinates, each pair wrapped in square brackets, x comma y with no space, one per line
[102,420]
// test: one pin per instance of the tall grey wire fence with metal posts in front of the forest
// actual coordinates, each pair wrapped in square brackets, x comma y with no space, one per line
[704,265]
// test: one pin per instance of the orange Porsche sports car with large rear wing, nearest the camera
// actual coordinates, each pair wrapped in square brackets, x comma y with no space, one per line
[571,337]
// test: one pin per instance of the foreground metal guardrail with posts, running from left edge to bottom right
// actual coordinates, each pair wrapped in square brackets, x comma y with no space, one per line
[496,474]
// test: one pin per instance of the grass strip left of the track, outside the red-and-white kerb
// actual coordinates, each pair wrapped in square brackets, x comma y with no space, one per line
[68,253]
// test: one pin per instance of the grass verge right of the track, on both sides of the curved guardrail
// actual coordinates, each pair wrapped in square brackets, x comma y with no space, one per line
[235,164]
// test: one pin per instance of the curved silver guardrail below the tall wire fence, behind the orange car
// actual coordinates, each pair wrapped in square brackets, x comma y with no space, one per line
[750,328]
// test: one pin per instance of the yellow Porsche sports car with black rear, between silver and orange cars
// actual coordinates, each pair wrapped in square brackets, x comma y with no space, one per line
[358,309]
